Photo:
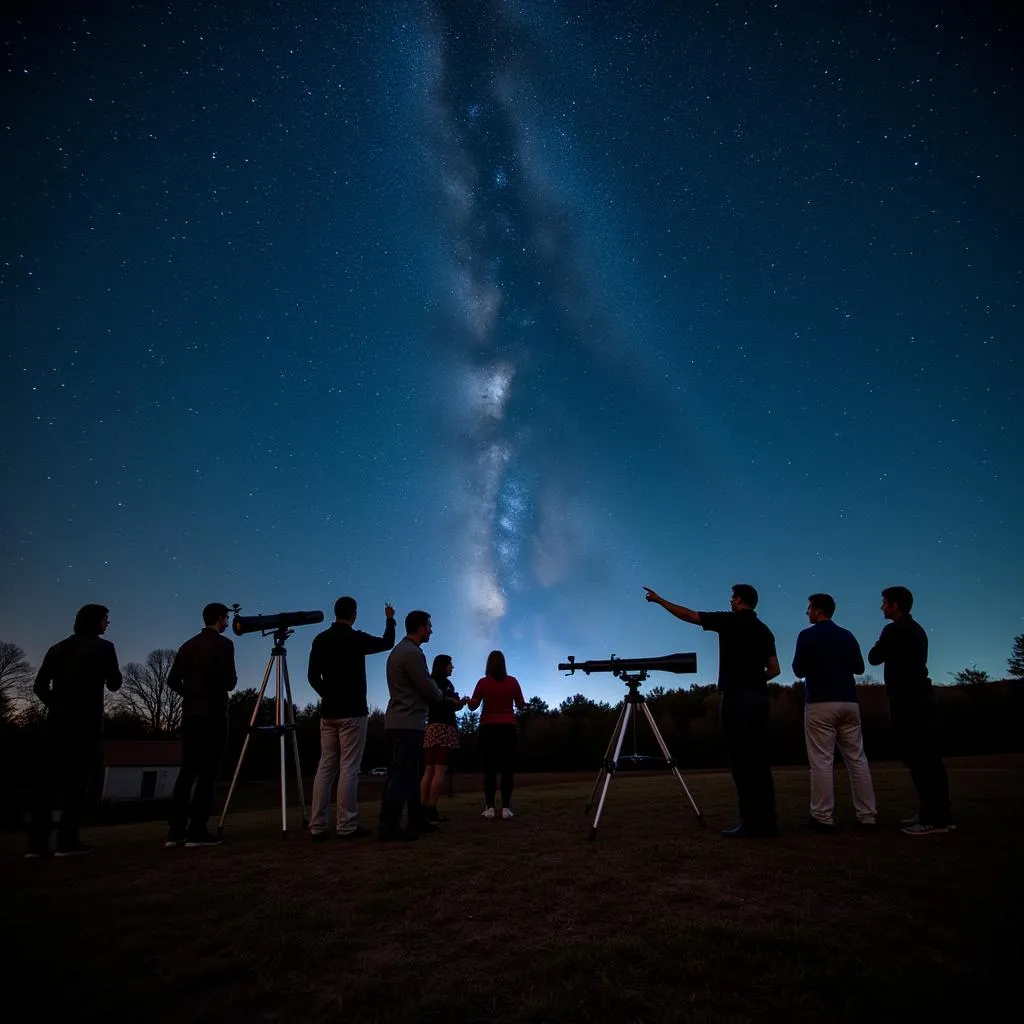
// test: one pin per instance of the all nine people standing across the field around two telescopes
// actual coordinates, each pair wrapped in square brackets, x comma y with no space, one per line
[420,720]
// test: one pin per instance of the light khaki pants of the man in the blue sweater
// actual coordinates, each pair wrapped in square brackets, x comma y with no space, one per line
[826,726]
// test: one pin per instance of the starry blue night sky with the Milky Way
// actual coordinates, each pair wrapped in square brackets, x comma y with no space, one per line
[505,311]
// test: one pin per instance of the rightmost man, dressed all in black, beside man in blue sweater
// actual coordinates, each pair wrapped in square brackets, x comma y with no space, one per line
[903,648]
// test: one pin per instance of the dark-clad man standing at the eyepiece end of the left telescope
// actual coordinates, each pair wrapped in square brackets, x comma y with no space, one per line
[203,674]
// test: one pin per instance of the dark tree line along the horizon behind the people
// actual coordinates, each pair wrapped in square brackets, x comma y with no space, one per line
[976,714]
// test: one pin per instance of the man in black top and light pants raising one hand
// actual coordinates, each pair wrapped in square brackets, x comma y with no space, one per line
[338,674]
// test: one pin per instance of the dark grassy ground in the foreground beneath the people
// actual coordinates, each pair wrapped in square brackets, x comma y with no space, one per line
[527,921]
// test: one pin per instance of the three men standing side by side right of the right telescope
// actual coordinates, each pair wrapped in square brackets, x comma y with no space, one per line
[827,658]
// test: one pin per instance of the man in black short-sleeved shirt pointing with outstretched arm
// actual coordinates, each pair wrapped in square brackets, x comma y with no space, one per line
[747,661]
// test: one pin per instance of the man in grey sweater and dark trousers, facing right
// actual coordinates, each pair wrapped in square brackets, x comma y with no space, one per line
[411,690]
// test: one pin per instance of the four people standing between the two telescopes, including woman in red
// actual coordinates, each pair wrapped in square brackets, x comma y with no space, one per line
[419,723]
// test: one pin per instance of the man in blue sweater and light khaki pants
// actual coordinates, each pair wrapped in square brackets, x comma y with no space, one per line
[827,659]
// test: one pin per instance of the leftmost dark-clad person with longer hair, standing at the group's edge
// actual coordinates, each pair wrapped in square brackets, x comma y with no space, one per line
[71,684]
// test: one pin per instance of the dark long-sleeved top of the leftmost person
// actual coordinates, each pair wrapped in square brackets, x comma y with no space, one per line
[72,678]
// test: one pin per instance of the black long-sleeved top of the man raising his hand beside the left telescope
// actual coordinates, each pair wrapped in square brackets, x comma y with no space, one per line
[338,668]
